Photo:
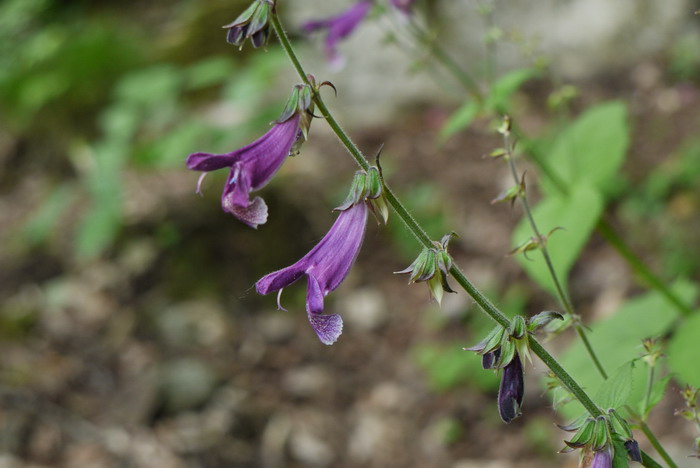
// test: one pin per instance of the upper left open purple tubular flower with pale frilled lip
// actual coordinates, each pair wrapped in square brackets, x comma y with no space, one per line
[251,167]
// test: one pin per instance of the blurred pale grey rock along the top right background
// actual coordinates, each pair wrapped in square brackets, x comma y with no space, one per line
[582,38]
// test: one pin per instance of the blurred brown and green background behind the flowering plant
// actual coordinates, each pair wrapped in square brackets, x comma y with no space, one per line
[130,330]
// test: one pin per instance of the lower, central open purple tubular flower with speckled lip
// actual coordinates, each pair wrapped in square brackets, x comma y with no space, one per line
[325,267]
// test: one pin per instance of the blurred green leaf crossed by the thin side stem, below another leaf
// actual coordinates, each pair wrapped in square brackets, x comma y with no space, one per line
[577,213]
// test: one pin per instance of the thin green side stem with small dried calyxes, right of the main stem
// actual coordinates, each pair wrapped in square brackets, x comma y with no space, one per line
[561,291]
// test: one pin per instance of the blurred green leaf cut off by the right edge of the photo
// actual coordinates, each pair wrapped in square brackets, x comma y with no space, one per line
[684,352]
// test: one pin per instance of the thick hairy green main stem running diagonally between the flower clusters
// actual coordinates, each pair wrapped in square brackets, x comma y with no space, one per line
[420,234]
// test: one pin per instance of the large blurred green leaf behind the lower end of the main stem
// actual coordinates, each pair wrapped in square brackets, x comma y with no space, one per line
[617,340]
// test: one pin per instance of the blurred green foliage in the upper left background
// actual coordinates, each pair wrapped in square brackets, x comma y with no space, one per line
[77,84]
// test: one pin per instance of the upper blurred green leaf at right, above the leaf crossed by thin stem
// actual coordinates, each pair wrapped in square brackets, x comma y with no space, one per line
[592,149]
